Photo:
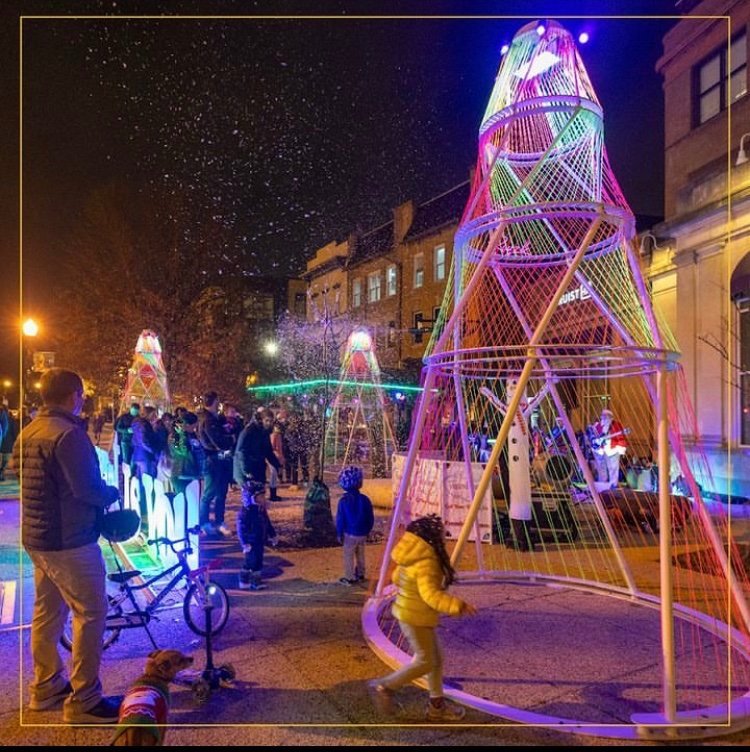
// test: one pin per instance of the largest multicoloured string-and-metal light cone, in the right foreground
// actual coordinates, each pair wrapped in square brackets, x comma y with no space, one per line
[545,322]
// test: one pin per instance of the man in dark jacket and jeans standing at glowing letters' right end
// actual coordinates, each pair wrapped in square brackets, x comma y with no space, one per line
[217,444]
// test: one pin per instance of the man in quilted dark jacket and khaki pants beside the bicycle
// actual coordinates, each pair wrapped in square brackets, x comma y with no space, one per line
[63,498]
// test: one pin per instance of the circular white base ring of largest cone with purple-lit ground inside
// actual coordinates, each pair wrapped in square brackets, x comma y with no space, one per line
[577,618]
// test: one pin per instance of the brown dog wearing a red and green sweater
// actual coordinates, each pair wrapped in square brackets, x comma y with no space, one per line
[145,707]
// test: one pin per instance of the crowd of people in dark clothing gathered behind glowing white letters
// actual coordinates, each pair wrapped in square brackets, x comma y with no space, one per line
[216,445]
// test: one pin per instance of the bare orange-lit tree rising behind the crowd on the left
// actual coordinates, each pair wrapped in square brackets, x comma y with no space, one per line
[129,268]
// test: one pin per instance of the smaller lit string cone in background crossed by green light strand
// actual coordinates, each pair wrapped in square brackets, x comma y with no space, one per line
[359,427]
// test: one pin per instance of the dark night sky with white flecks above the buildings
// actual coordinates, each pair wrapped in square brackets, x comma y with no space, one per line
[283,134]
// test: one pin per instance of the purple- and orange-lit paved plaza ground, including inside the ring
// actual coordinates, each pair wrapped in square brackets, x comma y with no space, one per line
[302,662]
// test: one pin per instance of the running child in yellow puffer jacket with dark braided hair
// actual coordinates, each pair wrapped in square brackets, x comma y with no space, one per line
[422,574]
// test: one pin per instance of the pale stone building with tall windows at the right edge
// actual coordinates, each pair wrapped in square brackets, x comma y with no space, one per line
[697,260]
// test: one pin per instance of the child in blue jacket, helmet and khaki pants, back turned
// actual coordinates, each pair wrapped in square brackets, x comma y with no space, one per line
[354,521]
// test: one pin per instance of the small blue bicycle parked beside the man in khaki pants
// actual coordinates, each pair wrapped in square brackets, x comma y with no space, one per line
[200,592]
